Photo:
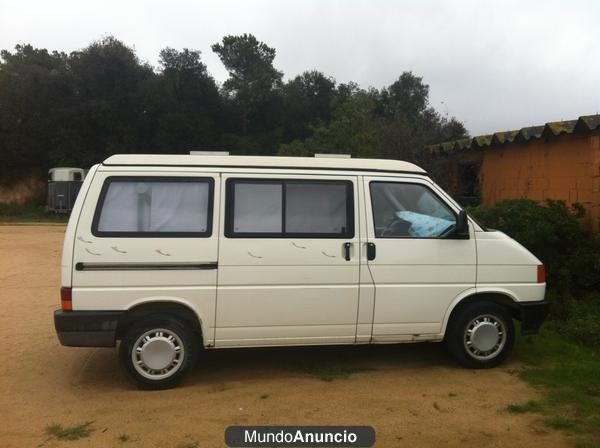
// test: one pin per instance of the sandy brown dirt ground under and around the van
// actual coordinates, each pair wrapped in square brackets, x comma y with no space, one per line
[413,395]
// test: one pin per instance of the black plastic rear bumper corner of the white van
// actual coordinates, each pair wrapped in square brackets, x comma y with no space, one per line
[87,328]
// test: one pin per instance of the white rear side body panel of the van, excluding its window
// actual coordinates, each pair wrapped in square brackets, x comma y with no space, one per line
[118,273]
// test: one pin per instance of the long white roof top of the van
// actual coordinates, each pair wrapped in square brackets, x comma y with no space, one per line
[323,163]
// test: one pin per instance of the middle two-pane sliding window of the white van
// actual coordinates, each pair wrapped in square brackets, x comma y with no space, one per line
[289,209]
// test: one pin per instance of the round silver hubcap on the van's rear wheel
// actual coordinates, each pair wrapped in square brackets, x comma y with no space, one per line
[157,354]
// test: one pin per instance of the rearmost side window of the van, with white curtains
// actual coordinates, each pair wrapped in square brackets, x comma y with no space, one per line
[154,206]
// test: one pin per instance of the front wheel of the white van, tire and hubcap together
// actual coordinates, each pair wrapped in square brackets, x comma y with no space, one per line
[481,335]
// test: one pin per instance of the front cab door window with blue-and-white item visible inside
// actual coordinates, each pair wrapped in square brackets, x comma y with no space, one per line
[404,210]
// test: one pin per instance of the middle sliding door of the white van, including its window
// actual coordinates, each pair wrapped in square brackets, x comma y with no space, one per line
[288,260]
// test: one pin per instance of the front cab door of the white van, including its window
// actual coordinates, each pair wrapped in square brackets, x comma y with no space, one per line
[418,269]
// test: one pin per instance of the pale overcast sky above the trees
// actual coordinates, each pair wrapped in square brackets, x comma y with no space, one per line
[494,65]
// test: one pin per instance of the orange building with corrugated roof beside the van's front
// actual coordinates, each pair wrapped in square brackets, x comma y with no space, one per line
[559,160]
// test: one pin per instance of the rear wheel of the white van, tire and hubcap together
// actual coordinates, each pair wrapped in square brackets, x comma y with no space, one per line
[158,351]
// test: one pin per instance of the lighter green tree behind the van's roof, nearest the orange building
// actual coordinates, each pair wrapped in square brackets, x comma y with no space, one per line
[396,122]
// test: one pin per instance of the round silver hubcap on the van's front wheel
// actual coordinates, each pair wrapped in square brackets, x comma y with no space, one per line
[485,337]
